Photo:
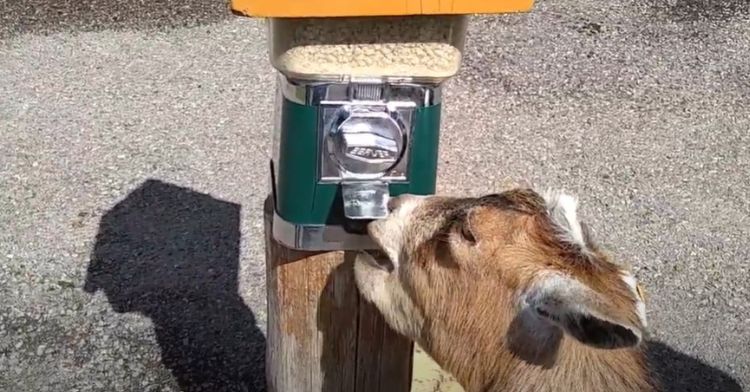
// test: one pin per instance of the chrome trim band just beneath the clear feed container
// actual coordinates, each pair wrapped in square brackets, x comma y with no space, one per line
[313,93]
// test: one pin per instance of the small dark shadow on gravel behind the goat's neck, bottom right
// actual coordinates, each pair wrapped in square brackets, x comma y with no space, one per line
[679,372]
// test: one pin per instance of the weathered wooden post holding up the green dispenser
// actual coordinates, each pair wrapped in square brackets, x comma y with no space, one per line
[322,337]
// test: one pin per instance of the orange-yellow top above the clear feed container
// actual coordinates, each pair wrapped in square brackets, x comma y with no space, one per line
[340,8]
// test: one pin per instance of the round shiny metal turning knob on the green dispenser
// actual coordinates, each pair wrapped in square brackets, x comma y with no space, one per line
[366,142]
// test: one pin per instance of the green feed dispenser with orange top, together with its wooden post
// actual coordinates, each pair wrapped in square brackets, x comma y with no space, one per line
[357,121]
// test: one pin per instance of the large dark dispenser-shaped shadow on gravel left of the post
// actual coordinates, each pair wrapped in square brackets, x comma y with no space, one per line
[172,254]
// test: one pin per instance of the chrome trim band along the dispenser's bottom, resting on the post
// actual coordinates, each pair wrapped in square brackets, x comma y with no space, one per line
[318,237]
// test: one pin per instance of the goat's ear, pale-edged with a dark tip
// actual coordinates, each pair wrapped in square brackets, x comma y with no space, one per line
[581,313]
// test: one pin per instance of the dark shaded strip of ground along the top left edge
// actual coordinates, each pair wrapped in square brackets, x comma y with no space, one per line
[46,16]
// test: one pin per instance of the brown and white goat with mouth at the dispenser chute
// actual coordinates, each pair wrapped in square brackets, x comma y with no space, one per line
[508,293]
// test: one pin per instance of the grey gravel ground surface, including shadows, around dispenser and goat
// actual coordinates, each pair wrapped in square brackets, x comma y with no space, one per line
[133,146]
